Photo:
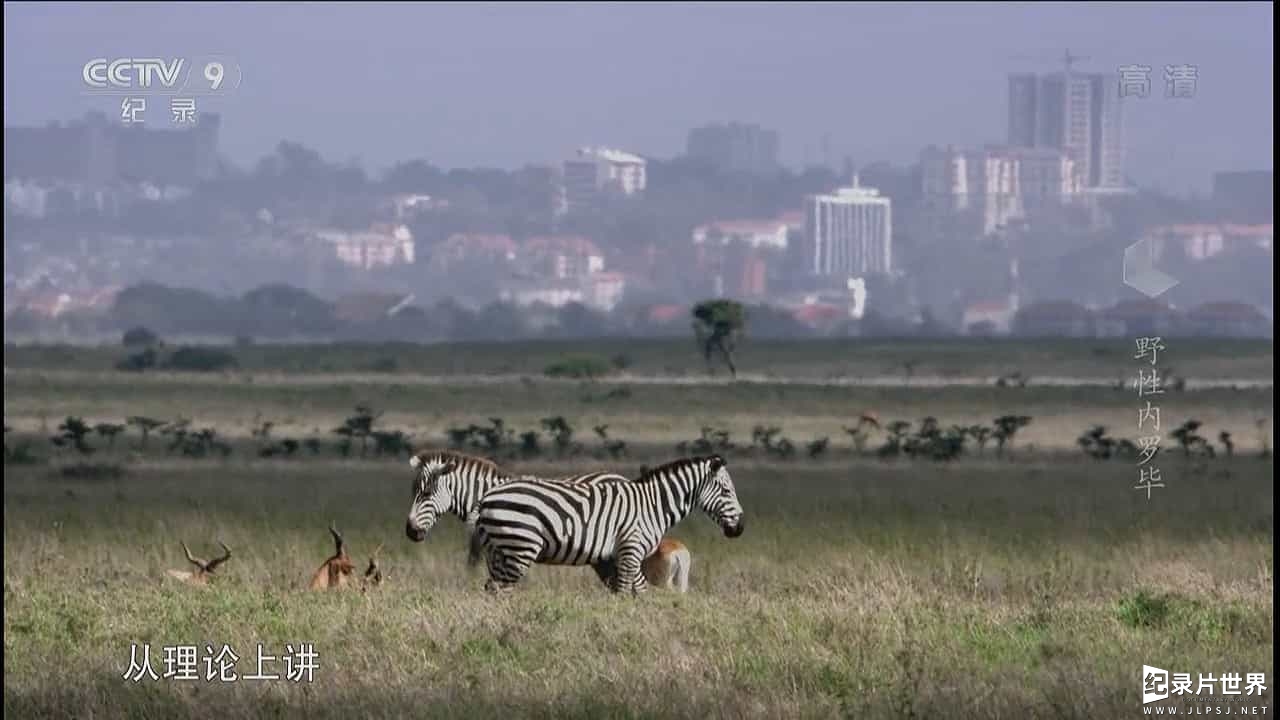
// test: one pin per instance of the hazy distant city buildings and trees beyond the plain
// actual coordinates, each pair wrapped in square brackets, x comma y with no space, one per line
[835,257]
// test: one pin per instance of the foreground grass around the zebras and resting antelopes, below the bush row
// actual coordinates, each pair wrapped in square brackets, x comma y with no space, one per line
[863,591]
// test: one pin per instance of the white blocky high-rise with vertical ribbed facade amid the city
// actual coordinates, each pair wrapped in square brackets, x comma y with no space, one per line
[849,233]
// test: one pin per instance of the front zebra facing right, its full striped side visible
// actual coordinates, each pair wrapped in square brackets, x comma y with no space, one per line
[615,525]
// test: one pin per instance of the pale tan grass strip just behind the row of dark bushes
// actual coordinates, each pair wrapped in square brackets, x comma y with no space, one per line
[659,416]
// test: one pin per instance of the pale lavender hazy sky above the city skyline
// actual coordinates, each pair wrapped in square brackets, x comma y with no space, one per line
[504,85]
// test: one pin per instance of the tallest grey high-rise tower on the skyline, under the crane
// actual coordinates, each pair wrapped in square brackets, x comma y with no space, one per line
[1077,113]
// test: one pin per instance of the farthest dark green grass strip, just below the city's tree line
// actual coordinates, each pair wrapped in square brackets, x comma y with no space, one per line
[845,358]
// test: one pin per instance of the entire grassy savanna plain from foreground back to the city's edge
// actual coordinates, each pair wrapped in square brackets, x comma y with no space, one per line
[1031,586]
